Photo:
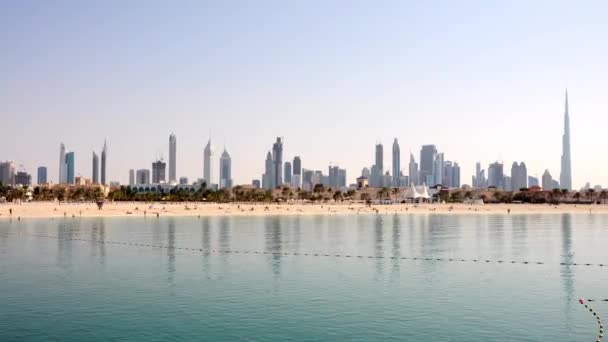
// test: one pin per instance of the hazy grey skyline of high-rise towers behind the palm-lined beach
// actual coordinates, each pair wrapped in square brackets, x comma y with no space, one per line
[432,169]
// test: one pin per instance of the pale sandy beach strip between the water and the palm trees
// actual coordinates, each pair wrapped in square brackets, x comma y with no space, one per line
[121,209]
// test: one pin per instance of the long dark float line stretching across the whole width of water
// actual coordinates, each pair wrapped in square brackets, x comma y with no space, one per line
[318,254]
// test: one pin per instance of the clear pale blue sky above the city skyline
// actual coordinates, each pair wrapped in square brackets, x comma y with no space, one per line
[483,80]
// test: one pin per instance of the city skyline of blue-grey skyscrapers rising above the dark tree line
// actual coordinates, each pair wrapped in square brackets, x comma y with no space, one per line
[435,169]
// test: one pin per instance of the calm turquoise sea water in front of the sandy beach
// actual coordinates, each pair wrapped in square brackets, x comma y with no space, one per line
[134,279]
